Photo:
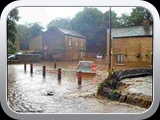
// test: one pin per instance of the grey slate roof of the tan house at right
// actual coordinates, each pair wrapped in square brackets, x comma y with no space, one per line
[130,31]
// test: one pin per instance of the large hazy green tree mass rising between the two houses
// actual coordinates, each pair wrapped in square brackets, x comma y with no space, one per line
[93,24]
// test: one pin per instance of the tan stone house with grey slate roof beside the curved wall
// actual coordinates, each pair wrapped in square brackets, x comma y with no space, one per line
[131,47]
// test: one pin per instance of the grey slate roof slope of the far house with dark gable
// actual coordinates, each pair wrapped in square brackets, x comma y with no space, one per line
[72,33]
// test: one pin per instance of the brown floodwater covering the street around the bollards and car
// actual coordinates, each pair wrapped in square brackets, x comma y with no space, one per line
[33,93]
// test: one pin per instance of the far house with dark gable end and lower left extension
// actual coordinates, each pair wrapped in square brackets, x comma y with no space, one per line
[60,44]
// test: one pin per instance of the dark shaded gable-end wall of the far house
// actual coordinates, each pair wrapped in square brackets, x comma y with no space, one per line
[52,39]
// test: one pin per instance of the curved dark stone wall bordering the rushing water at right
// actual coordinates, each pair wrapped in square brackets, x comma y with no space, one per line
[109,87]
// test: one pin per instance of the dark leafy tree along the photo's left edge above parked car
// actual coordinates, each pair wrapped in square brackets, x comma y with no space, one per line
[11,29]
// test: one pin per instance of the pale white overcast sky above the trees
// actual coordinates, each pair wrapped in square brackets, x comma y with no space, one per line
[46,14]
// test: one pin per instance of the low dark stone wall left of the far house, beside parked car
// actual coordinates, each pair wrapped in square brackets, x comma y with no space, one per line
[29,58]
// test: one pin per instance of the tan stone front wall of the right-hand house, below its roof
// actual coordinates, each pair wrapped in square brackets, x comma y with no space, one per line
[130,47]
